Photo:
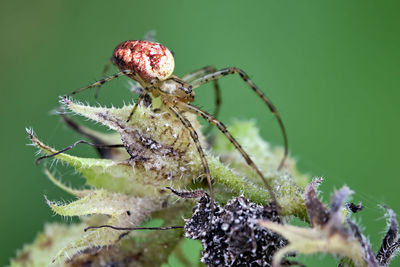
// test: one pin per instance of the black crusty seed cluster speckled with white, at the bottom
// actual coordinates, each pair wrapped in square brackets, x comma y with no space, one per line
[231,237]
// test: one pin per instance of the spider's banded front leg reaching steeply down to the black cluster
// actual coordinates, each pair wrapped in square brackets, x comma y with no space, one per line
[203,159]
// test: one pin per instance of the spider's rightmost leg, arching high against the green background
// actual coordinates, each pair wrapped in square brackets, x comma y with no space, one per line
[228,71]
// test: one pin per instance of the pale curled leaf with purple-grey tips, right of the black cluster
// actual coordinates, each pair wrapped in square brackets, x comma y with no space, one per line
[330,233]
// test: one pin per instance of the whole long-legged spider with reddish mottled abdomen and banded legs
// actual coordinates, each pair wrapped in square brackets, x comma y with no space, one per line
[152,64]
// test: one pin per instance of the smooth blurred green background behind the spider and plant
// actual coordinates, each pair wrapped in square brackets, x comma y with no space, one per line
[331,68]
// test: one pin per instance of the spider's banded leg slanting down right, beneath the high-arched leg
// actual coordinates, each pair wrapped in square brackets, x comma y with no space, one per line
[228,135]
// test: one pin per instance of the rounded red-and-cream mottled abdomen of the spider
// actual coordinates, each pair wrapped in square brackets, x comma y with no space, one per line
[148,60]
